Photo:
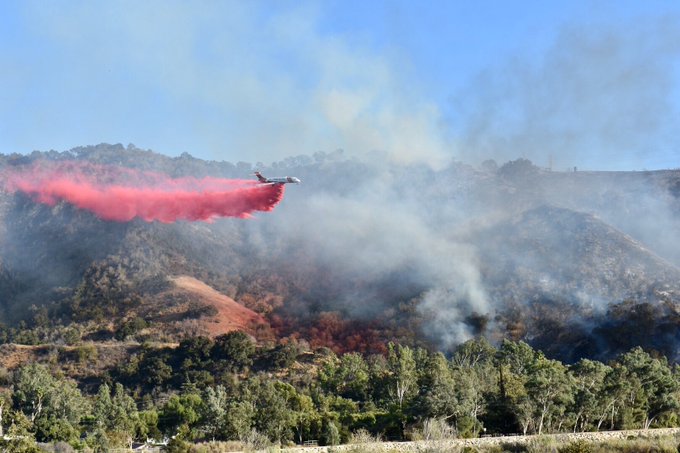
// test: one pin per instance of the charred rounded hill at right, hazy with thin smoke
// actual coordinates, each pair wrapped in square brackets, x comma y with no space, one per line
[562,275]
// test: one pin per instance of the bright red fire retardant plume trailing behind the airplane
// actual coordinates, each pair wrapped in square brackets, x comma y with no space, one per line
[122,194]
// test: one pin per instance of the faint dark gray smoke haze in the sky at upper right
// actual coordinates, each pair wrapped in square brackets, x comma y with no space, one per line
[601,98]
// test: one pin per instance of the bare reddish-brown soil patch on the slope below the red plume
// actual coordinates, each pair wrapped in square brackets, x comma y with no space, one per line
[230,315]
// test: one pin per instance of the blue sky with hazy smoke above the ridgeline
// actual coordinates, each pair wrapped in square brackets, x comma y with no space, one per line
[593,84]
